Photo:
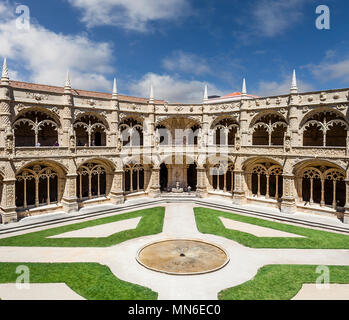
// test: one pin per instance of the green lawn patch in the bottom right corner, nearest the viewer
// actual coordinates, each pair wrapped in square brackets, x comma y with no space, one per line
[281,282]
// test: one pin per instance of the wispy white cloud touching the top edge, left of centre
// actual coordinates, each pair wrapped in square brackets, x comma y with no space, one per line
[130,14]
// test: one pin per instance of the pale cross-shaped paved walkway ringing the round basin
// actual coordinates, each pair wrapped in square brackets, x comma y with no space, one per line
[179,223]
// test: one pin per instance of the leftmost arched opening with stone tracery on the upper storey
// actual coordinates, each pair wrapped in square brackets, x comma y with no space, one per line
[35,128]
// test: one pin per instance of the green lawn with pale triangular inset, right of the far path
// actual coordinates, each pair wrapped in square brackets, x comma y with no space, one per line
[208,221]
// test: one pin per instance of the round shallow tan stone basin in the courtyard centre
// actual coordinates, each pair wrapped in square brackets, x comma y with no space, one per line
[182,257]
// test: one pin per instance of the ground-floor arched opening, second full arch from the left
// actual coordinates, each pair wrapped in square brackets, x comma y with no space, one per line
[91,181]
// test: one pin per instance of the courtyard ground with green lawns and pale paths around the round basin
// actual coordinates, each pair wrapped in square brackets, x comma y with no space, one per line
[92,256]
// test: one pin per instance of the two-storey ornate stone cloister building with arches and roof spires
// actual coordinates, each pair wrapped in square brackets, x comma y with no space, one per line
[63,149]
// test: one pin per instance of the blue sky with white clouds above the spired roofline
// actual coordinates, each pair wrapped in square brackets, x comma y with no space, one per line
[178,45]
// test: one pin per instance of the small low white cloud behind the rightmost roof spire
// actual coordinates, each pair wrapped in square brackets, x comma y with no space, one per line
[273,88]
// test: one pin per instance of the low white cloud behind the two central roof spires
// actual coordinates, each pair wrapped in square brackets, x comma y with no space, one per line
[172,89]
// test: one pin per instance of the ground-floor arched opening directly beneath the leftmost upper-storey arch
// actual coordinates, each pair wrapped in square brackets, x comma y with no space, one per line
[36,186]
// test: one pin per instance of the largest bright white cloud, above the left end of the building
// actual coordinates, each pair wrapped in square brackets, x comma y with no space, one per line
[46,56]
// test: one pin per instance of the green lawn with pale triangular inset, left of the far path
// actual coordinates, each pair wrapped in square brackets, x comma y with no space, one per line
[151,223]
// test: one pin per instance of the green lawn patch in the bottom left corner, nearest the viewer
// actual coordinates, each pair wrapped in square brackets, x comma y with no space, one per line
[90,280]
